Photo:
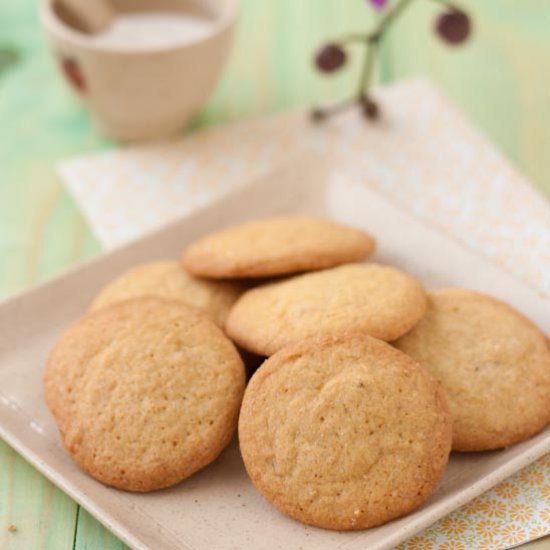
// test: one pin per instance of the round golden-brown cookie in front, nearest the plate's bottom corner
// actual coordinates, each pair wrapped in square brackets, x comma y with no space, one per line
[344,433]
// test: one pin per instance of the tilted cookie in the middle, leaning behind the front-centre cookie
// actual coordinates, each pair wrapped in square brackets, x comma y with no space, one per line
[373,299]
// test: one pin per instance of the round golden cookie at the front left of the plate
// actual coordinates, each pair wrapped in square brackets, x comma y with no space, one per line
[145,392]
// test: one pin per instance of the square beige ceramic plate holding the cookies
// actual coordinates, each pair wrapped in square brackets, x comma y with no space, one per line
[218,508]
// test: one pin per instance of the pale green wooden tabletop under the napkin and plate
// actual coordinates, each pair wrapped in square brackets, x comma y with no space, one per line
[500,79]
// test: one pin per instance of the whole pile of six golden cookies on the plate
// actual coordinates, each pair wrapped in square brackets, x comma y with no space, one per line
[368,384]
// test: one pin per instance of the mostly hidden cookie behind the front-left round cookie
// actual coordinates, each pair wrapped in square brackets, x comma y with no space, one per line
[167,279]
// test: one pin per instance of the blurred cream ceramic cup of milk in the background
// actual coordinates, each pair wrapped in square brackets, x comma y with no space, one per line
[147,72]
